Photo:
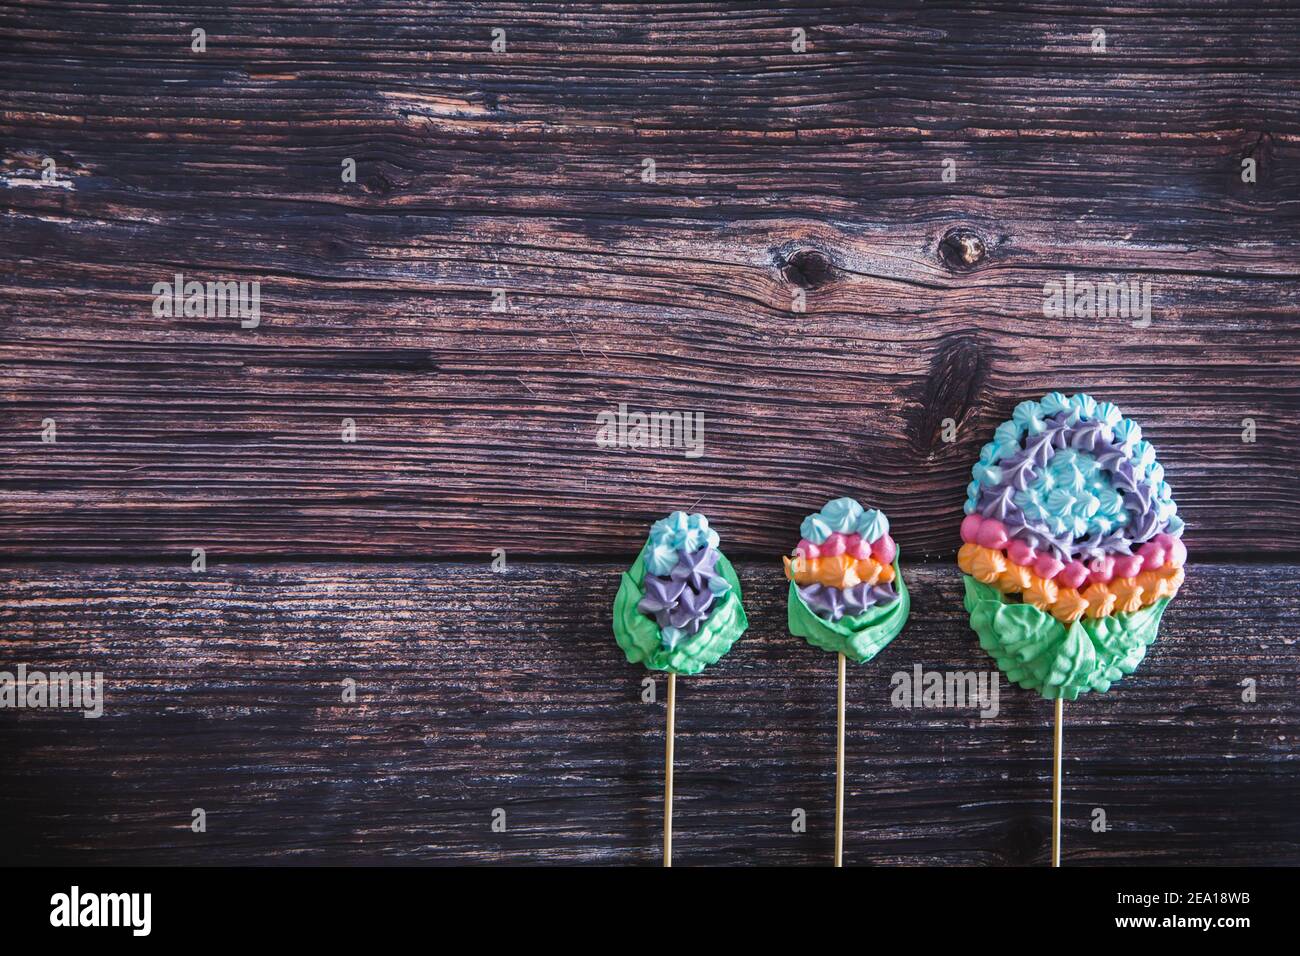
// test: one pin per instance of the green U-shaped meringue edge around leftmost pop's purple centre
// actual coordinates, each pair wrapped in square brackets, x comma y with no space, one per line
[639,635]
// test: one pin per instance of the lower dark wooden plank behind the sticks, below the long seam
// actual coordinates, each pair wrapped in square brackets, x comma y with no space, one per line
[482,691]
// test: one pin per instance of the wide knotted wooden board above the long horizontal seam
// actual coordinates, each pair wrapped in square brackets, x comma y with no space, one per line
[777,174]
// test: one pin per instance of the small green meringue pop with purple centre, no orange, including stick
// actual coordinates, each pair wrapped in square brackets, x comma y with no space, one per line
[678,611]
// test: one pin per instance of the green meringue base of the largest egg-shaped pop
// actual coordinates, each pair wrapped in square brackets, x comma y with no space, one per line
[1039,654]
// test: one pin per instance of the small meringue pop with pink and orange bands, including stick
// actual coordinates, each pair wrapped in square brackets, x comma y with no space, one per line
[848,596]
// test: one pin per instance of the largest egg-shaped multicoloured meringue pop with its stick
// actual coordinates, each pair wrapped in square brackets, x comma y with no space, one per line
[1072,552]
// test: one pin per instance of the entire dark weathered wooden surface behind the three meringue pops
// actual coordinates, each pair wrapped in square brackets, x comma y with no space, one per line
[521,171]
